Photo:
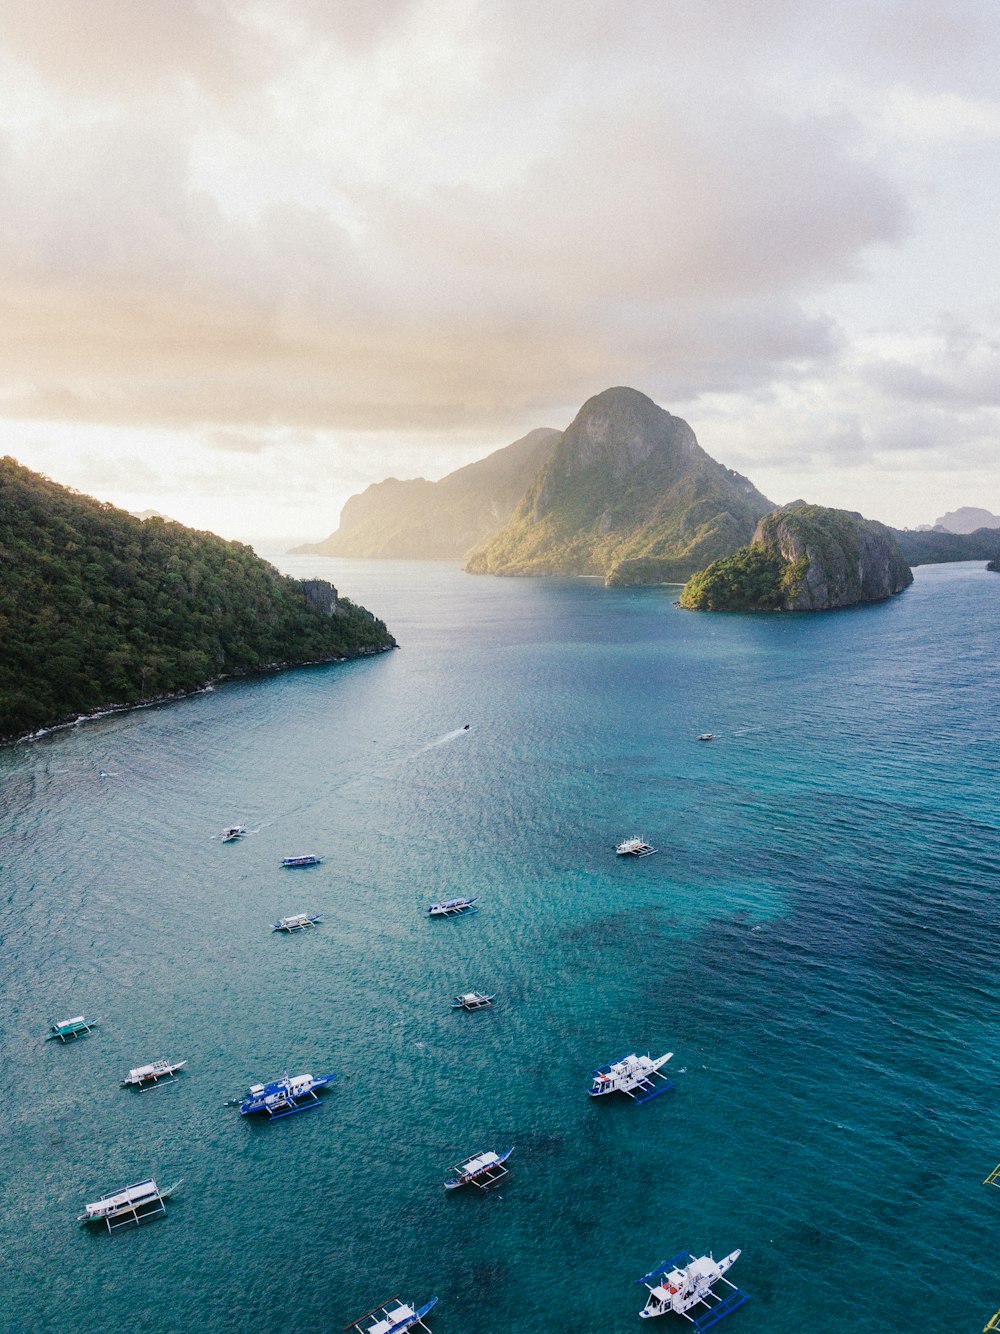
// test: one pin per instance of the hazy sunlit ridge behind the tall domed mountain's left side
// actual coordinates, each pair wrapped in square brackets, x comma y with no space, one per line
[438,521]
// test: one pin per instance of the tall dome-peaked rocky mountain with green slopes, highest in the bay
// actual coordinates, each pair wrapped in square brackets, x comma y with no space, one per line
[627,493]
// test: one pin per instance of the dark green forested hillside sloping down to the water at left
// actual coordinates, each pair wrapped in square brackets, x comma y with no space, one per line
[99,609]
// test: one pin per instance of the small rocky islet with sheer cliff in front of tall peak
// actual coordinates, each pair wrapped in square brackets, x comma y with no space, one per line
[805,558]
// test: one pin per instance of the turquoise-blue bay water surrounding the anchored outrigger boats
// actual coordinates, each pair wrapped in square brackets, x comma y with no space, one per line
[817,942]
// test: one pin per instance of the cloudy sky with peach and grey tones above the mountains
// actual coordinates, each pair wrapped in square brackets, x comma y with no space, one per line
[259,254]
